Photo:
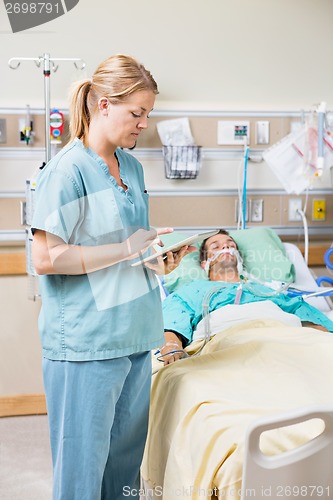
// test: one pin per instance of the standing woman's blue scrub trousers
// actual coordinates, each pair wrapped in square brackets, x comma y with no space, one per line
[98,419]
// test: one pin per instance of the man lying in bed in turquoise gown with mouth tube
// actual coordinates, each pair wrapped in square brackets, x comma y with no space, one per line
[241,299]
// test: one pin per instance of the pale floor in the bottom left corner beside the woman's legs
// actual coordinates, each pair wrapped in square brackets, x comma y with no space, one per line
[25,459]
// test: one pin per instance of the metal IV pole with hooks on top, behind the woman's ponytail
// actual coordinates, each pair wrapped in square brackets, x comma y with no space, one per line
[48,62]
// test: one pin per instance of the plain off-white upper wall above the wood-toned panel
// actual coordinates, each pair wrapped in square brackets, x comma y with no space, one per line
[217,54]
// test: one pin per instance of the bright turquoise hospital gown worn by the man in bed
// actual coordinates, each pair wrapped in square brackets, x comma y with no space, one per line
[183,309]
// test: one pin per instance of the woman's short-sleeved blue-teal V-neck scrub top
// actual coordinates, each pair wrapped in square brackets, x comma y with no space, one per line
[108,313]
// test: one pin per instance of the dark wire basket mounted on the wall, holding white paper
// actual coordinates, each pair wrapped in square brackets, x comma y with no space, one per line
[182,162]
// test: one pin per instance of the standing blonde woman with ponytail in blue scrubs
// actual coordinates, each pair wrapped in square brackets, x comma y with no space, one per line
[100,316]
